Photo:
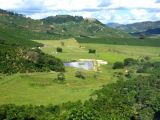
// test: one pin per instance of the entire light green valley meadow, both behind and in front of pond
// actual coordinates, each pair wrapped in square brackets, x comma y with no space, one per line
[43,88]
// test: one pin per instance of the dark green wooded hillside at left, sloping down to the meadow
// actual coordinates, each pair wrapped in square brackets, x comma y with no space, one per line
[17,52]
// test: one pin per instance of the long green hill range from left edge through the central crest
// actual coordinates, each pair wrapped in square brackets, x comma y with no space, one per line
[53,27]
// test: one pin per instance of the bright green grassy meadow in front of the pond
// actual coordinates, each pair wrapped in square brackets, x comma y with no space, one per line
[41,88]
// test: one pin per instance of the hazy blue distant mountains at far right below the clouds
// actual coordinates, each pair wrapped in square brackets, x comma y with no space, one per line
[148,28]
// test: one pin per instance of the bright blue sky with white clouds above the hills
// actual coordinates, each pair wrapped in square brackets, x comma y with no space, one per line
[106,11]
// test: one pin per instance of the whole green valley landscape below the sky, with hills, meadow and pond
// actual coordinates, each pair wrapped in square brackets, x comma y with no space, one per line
[67,67]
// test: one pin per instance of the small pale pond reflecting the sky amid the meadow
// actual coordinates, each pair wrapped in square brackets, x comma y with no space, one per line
[87,65]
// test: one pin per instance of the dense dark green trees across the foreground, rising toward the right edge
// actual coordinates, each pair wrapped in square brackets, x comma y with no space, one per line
[132,98]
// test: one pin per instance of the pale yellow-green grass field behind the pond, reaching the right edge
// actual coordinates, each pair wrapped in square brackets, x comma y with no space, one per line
[72,50]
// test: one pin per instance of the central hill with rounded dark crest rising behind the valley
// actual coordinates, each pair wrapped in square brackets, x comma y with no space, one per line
[66,25]
